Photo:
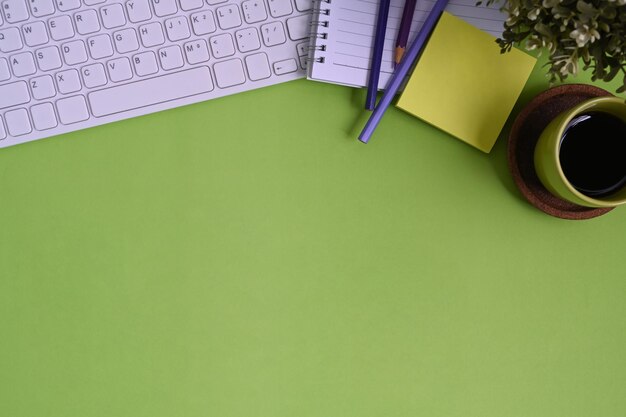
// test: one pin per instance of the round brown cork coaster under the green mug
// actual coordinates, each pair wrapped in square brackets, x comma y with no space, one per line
[523,138]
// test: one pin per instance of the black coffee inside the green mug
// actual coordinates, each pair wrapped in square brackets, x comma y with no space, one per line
[593,153]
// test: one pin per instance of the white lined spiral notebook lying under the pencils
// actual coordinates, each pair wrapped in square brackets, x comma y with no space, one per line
[343,35]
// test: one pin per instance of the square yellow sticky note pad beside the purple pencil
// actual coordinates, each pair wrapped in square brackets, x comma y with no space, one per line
[463,85]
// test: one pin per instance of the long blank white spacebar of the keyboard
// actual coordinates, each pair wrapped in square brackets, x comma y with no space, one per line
[156,90]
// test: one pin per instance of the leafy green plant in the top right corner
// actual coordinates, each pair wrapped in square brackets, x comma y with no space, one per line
[592,32]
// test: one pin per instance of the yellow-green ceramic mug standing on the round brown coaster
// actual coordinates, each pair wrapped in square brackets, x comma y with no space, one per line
[548,152]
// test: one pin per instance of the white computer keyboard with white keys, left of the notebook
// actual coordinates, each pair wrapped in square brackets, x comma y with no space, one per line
[71,64]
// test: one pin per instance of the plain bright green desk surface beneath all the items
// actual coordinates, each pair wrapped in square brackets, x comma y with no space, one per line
[248,257]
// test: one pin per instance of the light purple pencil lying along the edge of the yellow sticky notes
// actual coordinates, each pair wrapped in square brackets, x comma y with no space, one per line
[402,70]
